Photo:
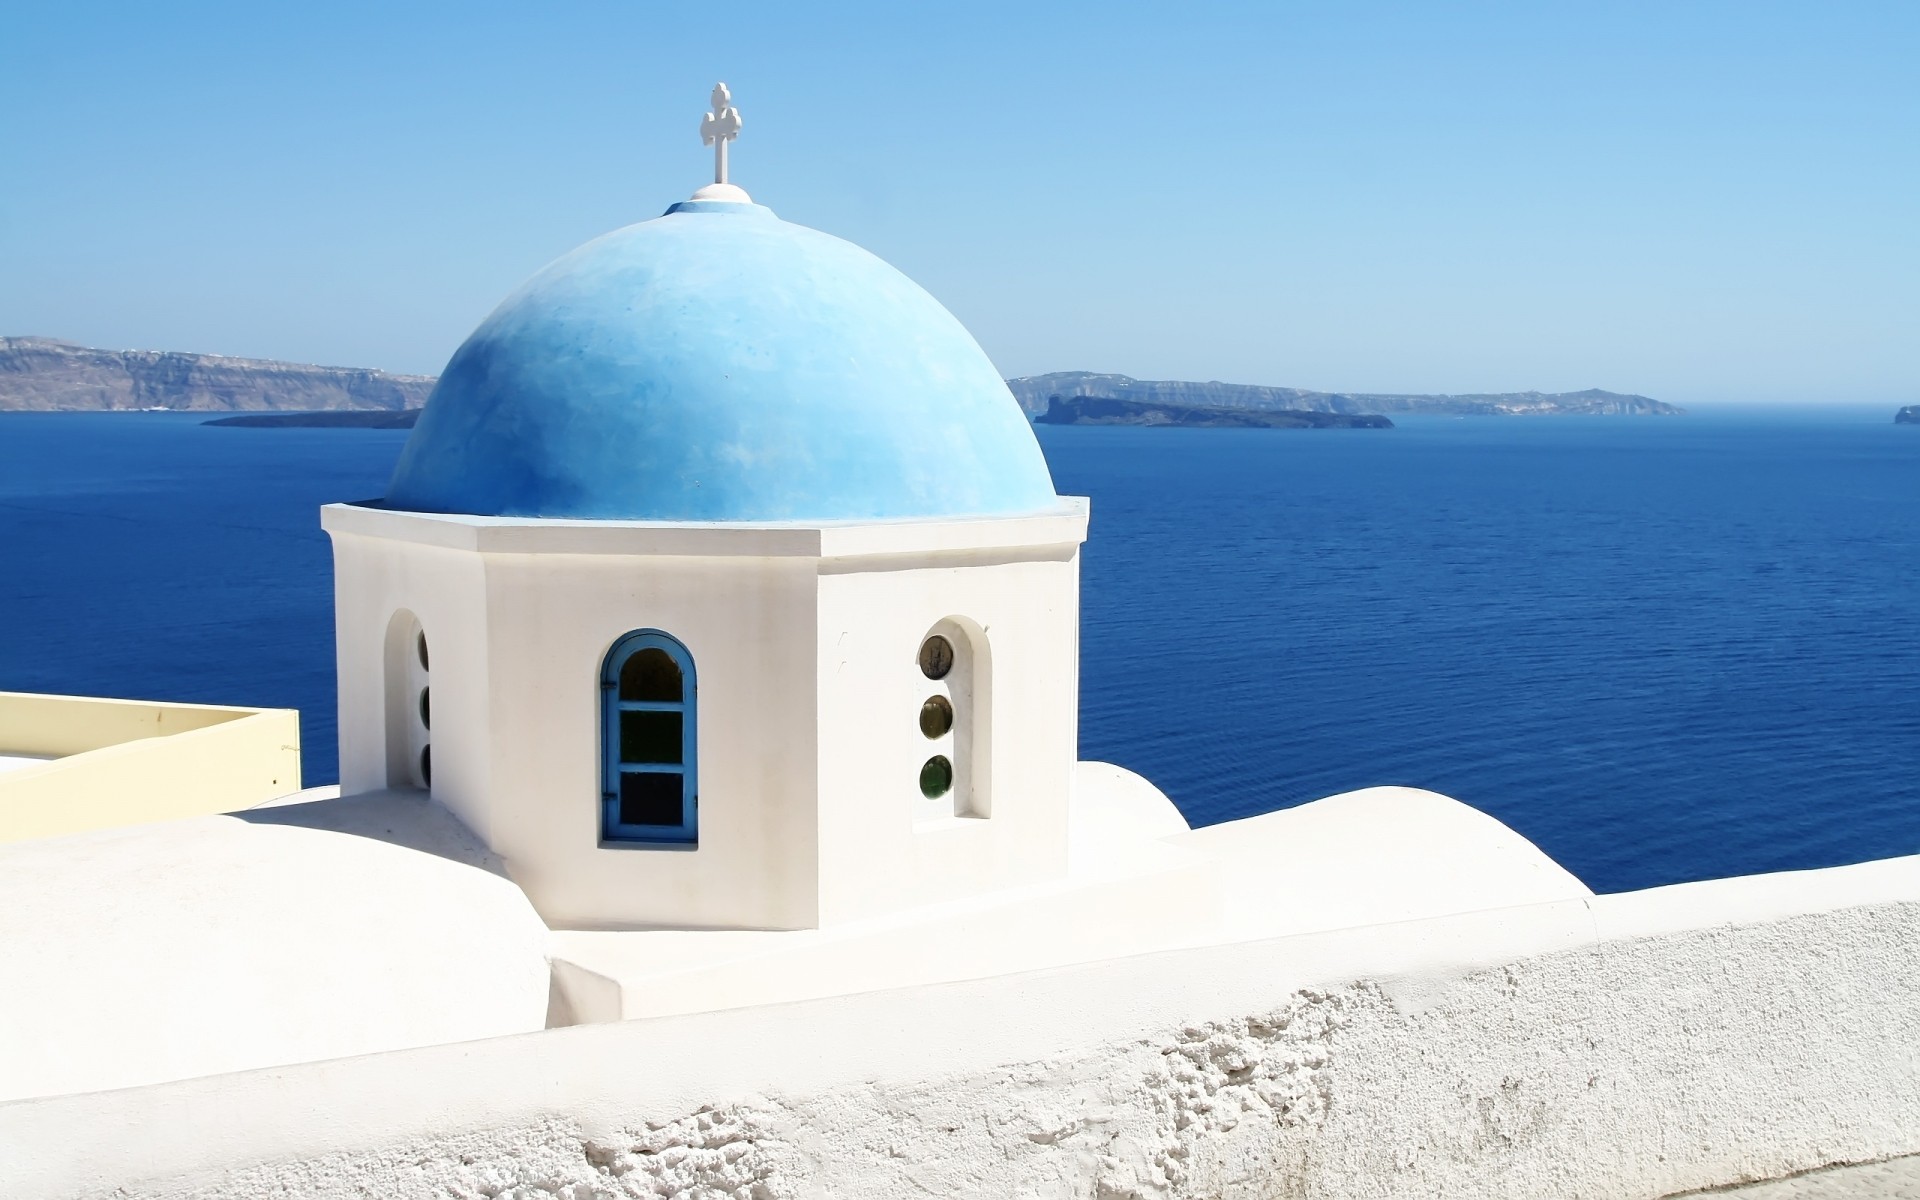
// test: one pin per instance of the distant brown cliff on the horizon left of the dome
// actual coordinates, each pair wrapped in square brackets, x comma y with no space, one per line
[47,375]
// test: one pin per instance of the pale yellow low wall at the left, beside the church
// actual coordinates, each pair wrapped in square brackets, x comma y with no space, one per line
[122,763]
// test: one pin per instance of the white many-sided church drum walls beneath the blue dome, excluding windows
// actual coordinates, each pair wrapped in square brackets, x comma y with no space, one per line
[800,821]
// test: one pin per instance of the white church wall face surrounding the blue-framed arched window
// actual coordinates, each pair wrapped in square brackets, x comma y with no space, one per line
[748,627]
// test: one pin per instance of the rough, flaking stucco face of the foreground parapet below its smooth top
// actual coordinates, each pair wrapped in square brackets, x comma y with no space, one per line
[1625,1068]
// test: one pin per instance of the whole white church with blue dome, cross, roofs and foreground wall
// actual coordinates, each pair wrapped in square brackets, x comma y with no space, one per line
[715,650]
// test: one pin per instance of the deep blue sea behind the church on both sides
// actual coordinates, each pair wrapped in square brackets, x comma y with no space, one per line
[1664,650]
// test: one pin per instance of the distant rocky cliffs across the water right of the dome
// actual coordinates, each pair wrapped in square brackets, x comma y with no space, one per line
[1034,393]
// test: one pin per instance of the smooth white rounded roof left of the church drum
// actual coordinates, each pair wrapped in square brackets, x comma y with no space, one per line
[274,936]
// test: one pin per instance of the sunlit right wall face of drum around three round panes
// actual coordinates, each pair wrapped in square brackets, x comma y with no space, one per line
[1015,690]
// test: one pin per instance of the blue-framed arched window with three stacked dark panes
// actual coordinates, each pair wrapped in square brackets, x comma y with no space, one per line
[650,790]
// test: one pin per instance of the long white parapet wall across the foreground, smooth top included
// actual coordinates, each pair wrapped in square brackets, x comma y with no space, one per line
[1631,1045]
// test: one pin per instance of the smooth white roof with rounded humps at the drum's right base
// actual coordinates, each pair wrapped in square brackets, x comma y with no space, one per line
[1140,882]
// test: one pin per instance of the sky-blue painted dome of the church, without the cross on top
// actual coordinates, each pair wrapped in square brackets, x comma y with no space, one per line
[719,364]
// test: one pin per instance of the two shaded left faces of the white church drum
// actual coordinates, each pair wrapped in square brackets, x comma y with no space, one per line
[531,612]
